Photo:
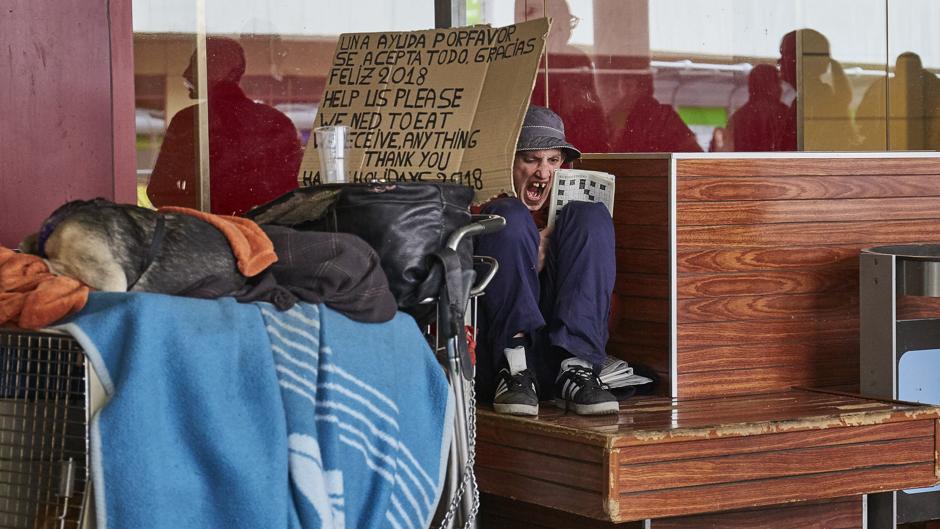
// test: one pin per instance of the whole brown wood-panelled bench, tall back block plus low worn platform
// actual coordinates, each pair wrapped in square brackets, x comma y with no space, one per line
[737,283]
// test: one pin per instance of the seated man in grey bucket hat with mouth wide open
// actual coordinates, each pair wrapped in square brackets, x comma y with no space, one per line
[543,320]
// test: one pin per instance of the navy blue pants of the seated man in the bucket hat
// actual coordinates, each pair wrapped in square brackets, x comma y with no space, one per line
[565,308]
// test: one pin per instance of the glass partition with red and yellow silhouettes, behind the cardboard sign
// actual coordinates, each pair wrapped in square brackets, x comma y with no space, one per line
[227,91]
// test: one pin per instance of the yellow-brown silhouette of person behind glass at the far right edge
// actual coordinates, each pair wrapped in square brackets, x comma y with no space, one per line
[908,116]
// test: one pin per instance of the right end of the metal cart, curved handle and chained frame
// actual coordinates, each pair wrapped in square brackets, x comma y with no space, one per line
[461,500]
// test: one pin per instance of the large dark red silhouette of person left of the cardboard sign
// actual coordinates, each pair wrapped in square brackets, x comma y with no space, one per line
[254,150]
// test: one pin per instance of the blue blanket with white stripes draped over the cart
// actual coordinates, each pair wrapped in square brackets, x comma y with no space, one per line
[227,415]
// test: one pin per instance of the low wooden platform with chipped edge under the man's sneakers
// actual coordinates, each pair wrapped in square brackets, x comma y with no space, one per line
[661,457]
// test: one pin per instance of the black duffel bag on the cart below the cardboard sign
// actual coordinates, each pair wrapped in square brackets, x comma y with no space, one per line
[407,224]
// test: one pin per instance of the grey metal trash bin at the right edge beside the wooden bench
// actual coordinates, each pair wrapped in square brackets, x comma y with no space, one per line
[899,352]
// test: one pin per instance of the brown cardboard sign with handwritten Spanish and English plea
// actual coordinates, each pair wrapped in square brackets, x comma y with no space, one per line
[431,106]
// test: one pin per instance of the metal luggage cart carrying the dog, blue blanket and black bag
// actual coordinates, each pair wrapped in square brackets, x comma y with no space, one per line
[48,394]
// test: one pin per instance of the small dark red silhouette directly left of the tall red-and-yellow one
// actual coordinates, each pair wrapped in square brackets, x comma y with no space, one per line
[759,124]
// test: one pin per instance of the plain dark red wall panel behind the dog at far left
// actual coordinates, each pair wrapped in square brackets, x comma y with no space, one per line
[66,108]
